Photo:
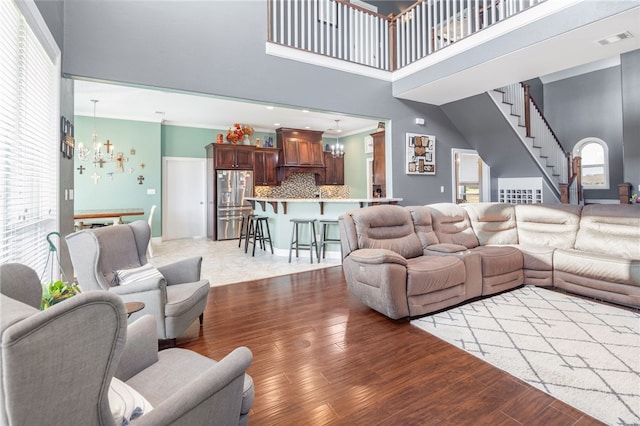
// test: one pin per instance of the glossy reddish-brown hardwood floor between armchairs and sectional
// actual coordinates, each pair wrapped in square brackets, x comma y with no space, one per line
[321,357]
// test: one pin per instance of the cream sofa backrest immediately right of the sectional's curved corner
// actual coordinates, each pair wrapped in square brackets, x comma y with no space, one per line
[553,225]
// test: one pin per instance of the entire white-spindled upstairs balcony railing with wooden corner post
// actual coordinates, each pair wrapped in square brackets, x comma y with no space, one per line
[342,30]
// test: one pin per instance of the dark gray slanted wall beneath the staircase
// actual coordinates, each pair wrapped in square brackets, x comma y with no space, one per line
[486,130]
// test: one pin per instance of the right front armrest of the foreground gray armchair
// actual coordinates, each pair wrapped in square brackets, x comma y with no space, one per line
[216,391]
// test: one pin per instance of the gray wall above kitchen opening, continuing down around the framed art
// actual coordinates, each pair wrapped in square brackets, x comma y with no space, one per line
[194,46]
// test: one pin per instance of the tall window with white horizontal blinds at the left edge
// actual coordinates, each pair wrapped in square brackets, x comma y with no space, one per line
[29,139]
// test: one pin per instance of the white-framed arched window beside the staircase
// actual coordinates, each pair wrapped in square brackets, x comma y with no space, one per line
[595,162]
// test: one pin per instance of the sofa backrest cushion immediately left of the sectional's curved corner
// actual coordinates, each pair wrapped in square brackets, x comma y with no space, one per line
[452,225]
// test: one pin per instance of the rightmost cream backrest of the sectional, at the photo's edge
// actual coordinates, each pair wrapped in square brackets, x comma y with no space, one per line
[612,229]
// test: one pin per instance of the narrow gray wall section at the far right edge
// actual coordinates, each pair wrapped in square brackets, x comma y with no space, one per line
[630,71]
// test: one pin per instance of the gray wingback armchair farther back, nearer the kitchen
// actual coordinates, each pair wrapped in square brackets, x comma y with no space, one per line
[175,298]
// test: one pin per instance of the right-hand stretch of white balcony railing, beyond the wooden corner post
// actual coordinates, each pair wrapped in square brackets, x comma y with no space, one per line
[430,25]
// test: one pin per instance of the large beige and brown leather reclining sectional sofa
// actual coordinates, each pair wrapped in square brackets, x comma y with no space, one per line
[411,261]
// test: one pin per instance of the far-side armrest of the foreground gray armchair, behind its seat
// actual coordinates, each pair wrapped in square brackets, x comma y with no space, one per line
[140,350]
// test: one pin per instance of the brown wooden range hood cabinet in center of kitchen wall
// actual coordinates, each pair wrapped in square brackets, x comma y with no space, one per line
[300,148]
